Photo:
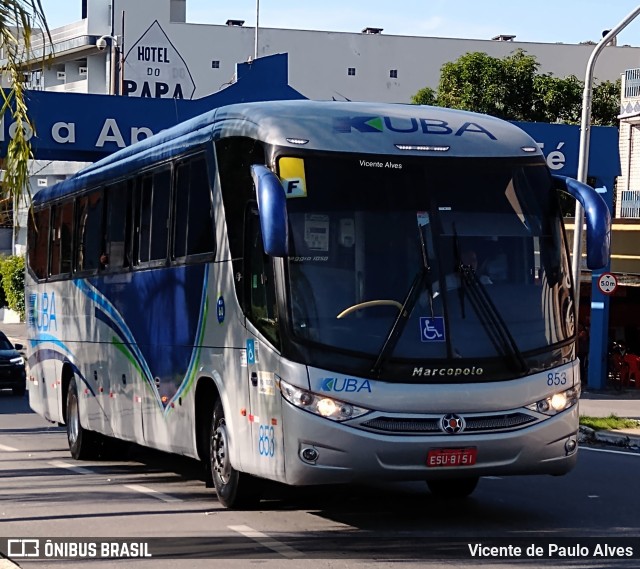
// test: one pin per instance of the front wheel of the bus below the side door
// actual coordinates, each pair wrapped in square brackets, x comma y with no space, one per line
[235,489]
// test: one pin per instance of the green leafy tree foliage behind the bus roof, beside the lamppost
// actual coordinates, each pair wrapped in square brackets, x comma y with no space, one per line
[511,88]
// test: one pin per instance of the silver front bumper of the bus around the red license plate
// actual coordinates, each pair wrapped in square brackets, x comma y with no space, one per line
[320,451]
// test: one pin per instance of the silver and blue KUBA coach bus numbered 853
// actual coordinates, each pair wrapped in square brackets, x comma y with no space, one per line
[314,293]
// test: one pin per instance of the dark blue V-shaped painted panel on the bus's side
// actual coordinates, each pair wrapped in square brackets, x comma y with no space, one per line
[166,328]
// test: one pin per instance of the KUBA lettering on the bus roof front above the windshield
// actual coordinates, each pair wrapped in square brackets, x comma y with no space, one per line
[406,125]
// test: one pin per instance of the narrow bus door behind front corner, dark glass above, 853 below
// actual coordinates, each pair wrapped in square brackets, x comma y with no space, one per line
[265,413]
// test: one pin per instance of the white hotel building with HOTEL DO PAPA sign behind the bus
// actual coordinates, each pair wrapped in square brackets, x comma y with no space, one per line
[163,55]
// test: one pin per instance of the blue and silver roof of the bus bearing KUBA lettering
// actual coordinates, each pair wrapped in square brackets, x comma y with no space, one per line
[338,126]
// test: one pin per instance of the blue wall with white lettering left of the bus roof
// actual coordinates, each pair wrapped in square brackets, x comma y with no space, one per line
[84,127]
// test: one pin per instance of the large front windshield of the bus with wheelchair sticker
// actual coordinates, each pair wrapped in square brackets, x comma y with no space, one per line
[482,240]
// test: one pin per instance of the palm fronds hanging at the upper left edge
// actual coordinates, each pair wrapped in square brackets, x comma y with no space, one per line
[18,20]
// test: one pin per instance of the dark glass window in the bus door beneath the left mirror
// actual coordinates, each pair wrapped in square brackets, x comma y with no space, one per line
[259,282]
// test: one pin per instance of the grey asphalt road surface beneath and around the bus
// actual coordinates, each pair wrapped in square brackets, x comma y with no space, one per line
[44,493]
